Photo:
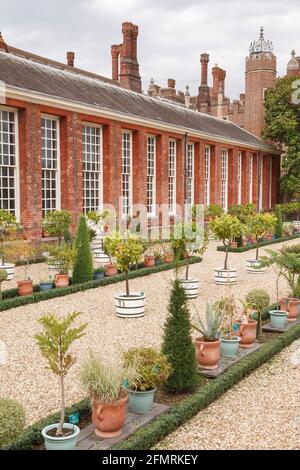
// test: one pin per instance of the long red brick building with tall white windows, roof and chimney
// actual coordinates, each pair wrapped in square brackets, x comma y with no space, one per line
[70,139]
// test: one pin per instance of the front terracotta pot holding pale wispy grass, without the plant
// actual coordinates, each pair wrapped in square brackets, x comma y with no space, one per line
[108,418]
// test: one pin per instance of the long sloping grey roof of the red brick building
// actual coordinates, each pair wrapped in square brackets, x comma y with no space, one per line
[57,80]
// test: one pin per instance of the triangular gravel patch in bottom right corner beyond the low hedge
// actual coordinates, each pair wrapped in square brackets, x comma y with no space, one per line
[258,413]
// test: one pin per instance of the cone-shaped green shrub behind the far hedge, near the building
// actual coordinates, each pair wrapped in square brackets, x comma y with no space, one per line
[83,264]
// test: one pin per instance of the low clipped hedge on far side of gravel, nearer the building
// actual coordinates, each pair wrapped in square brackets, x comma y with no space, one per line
[11,300]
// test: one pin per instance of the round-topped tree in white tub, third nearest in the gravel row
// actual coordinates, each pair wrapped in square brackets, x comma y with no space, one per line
[226,228]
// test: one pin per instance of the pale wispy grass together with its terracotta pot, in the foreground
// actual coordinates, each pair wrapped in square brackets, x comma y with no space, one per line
[104,384]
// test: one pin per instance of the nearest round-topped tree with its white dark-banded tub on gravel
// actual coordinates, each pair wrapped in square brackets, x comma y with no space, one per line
[127,253]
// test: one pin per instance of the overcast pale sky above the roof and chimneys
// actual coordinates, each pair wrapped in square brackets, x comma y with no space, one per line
[173,33]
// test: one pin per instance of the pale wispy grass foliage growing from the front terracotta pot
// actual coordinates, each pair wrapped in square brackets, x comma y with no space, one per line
[104,382]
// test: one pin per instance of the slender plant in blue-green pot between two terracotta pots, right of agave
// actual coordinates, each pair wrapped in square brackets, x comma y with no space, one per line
[230,341]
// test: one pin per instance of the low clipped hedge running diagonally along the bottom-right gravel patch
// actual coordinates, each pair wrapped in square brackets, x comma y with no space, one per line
[179,414]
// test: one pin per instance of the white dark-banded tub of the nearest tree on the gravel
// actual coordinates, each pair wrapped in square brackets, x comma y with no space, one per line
[130,307]
